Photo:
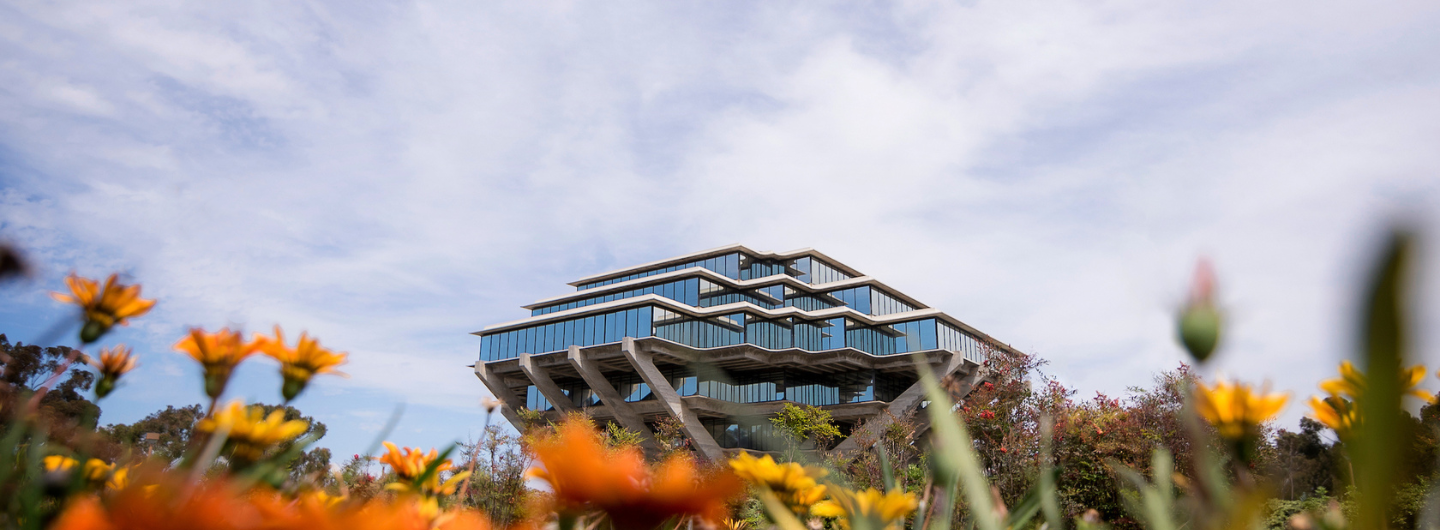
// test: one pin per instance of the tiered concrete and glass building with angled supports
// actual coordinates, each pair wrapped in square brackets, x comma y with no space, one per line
[722,341]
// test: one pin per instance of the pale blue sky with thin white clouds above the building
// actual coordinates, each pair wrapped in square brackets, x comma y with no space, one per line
[394,176]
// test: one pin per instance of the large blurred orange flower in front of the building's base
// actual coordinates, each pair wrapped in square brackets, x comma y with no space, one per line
[584,475]
